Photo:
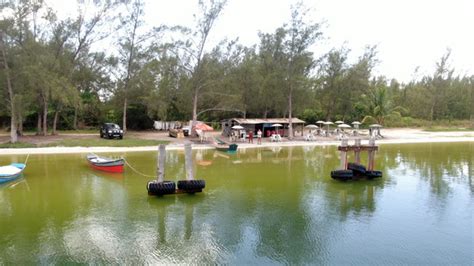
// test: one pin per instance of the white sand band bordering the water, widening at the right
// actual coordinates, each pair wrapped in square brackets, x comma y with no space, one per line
[391,136]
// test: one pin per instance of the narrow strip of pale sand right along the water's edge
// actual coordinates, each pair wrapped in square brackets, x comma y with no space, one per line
[294,143]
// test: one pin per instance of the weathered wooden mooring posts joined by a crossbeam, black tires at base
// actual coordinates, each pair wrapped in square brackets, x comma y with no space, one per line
[355,170]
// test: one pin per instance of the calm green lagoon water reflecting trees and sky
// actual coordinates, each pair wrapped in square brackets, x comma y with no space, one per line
[260,206]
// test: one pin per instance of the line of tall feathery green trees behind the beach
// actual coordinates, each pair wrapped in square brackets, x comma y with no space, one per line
[106,64]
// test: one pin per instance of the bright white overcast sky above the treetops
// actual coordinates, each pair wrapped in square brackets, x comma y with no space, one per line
[410,35]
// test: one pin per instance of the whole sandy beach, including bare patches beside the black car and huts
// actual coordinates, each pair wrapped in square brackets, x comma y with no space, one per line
[391,136]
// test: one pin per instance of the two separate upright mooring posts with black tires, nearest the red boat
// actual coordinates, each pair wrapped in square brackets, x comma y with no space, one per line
[159,187]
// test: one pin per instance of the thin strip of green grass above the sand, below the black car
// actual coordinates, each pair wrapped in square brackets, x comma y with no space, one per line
[127,142]
